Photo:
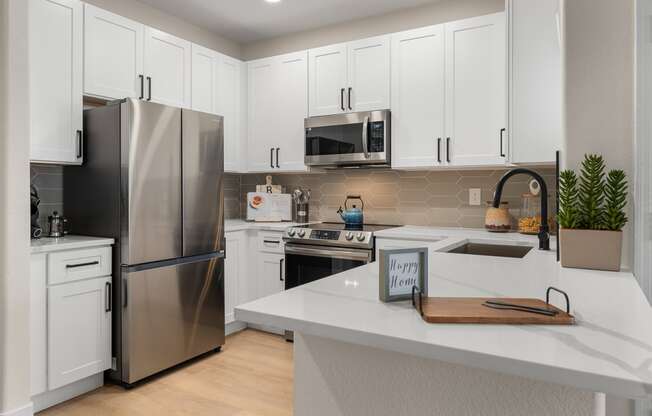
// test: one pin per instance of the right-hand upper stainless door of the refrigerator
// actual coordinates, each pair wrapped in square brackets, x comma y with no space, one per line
[203,174]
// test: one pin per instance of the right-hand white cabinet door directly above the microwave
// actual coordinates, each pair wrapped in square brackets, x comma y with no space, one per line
[368,74]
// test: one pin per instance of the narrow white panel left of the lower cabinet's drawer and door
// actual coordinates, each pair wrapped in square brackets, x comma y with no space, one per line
[38,323]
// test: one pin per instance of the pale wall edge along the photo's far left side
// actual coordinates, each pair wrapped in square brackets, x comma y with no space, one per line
[14,211]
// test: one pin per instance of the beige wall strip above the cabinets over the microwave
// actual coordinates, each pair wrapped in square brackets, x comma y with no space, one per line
[443,11]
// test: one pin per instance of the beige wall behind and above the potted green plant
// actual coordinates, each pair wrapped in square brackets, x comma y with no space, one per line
[599,87]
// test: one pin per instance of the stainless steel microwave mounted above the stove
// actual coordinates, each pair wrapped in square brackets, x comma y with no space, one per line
[353,139]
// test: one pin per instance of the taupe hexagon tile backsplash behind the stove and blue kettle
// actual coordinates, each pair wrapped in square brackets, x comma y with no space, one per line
[435,198]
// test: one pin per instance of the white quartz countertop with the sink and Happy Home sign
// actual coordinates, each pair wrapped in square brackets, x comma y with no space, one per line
[608,350]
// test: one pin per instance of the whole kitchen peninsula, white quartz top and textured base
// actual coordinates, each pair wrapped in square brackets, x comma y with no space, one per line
[355,355]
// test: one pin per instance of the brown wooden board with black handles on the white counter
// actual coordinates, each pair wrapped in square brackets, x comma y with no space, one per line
[471,311]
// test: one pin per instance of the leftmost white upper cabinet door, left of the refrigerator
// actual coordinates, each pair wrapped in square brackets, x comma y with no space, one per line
[56,66]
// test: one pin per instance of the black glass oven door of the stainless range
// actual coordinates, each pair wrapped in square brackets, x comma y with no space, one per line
[307,263]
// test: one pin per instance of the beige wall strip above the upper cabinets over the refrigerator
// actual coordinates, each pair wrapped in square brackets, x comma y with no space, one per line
[143,13]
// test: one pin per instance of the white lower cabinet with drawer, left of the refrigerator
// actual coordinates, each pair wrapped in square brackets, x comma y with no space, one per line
[70,317]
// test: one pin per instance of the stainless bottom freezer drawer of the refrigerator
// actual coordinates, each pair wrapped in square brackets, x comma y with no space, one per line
[171,313]
